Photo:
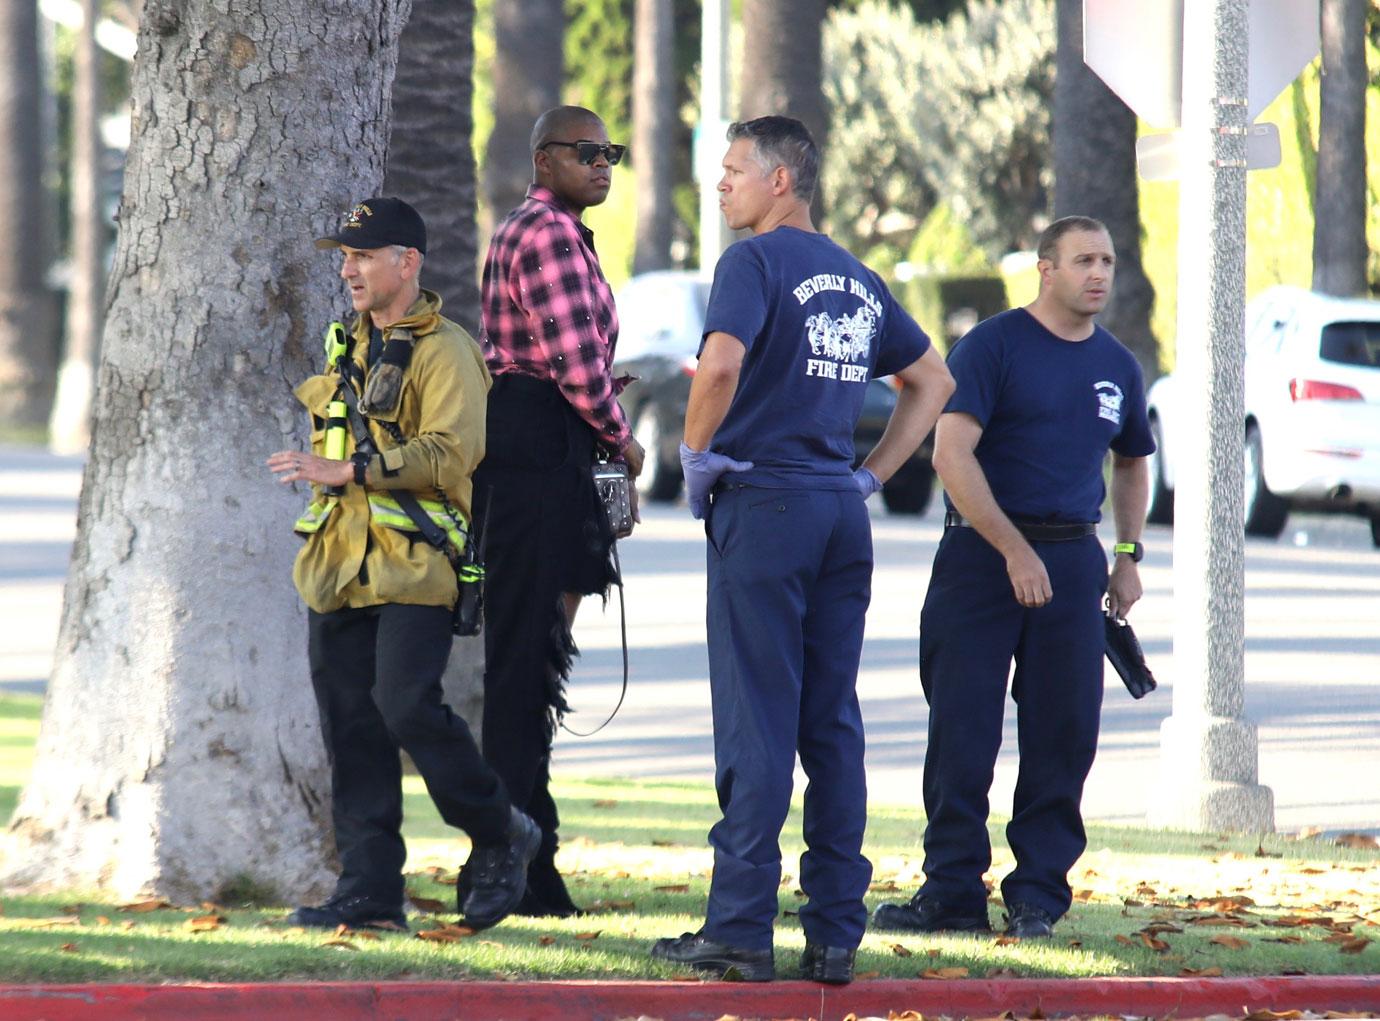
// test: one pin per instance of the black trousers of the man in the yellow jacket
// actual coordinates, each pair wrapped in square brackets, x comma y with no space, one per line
[377,678]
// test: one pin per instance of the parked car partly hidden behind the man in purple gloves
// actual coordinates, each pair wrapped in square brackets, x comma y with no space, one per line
[662,321]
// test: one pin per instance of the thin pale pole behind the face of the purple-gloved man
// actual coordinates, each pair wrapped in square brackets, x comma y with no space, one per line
[714,118]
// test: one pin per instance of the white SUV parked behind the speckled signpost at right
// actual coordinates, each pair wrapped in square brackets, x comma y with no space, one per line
[1313,413]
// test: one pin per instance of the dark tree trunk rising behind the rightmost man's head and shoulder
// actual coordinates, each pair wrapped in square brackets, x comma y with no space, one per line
[1095,176]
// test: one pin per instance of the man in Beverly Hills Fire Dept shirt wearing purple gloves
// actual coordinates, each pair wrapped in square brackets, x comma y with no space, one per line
[796,329]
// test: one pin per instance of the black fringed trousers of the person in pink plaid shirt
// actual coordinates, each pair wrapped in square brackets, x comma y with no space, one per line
[544,535]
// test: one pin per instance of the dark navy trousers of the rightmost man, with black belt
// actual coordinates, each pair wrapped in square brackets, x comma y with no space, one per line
[972,628]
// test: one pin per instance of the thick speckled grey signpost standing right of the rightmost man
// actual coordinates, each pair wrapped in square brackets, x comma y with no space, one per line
[1208,749]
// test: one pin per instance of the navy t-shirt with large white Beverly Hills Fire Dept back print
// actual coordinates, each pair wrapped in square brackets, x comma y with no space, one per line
[818,326]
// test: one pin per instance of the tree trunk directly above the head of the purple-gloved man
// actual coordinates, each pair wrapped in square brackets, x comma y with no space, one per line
[783,67]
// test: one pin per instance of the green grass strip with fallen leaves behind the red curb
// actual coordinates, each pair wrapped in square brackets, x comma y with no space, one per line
[1146,904]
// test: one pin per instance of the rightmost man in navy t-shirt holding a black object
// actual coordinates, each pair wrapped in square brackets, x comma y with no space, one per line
[1043,395]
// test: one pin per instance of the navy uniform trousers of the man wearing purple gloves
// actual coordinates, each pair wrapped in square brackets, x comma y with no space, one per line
[790,577]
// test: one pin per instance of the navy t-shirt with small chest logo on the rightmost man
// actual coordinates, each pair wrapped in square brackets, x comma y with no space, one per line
[1049,412]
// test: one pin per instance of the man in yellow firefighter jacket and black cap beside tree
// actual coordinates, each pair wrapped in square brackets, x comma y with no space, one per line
[379,595]
